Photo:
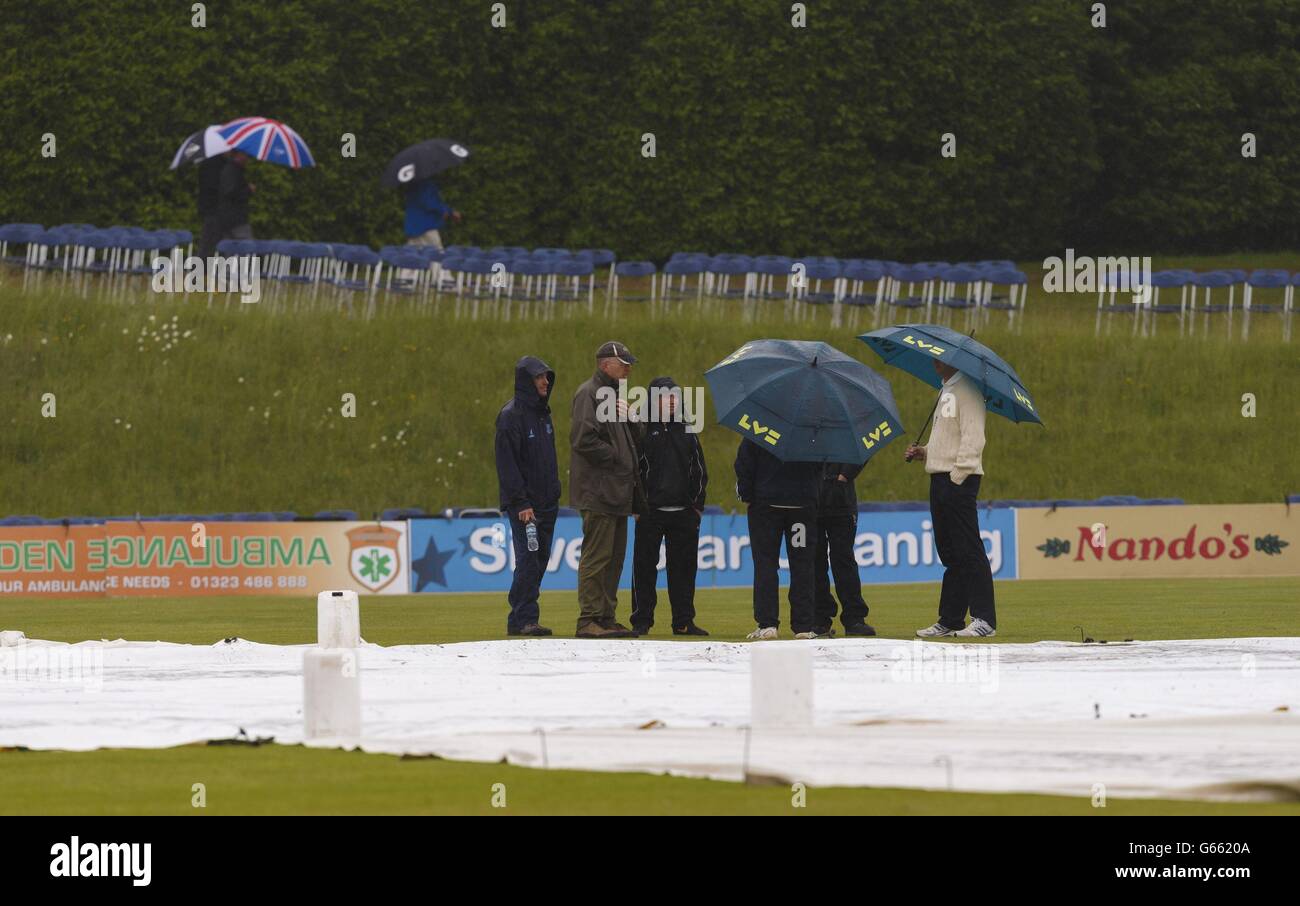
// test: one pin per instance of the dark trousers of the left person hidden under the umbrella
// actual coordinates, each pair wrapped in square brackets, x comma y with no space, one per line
[768,526]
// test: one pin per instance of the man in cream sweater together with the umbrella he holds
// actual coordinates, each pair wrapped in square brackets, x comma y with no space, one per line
[972,380]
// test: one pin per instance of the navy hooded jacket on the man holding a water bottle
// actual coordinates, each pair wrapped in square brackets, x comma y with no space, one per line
[527,469]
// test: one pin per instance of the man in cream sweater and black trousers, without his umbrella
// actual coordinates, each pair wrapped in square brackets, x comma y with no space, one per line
[954,462]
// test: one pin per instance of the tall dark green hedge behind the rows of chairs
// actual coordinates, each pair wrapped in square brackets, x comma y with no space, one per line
[770,138]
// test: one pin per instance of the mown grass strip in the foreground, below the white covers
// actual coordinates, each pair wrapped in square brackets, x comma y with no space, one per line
[274,781]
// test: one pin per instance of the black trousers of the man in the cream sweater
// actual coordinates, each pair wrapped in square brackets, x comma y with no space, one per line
[968,578]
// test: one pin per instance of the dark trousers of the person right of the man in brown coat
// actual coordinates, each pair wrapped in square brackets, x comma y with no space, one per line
[679,532]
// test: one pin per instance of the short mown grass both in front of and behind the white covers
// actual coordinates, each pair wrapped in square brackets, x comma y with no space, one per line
[298,781]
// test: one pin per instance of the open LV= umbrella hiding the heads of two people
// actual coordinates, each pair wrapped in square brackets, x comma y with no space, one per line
[804,402]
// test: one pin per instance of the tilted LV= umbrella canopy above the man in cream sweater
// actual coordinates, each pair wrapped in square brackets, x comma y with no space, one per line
[915,348]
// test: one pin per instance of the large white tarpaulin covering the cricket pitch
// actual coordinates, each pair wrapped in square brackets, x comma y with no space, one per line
[1175,718]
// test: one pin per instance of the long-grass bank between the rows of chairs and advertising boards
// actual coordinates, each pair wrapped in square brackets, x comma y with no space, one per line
[179,405]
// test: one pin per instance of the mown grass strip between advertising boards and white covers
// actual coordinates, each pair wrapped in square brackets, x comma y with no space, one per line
[1029,612]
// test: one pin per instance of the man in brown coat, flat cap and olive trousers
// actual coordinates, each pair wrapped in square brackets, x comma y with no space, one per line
[605,487]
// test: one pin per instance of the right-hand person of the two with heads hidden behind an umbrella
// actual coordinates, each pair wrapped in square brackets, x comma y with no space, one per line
[837,531]
